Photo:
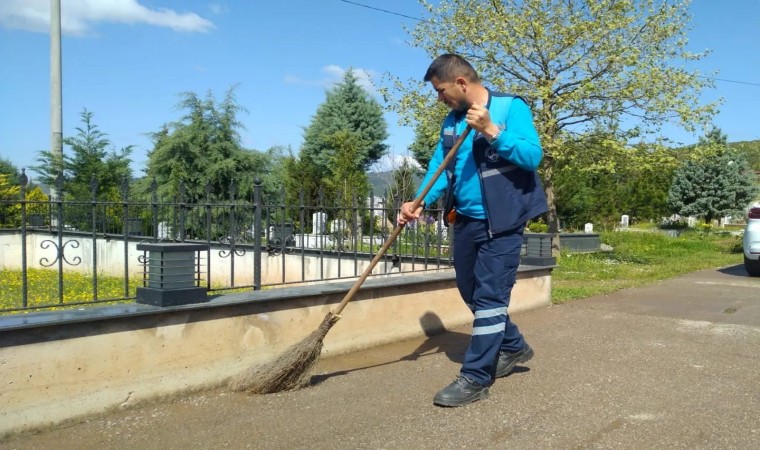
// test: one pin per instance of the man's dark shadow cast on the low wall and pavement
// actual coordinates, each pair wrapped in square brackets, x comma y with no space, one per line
[439,340]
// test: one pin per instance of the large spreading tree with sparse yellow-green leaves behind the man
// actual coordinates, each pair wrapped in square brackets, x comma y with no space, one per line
[582,65]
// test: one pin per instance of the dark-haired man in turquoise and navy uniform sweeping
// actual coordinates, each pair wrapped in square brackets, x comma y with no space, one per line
[492,191]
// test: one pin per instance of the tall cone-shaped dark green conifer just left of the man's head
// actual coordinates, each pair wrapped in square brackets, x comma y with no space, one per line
[347,107]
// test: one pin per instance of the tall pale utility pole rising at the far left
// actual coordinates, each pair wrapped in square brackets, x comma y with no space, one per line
[56,102]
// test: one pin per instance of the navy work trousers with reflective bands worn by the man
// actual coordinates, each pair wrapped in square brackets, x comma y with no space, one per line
[486,269]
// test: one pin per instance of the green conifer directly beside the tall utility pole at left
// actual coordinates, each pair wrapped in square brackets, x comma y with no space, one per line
[92,158]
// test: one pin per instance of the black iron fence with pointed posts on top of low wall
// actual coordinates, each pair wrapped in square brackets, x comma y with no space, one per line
[64,252]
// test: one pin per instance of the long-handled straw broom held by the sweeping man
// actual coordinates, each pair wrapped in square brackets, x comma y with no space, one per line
[291,370]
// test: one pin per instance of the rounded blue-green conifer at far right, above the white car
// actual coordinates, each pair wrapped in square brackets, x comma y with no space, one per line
[717,185]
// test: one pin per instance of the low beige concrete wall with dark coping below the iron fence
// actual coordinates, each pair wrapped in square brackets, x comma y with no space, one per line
[60,365]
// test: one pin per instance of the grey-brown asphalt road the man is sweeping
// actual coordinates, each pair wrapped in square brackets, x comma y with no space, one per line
[672,365]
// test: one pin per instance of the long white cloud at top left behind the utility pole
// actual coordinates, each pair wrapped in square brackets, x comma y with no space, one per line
[79,17]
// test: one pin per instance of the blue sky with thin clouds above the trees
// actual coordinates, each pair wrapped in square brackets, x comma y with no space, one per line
[127,61]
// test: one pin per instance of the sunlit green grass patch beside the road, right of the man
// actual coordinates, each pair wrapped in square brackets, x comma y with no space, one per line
[640,258]
